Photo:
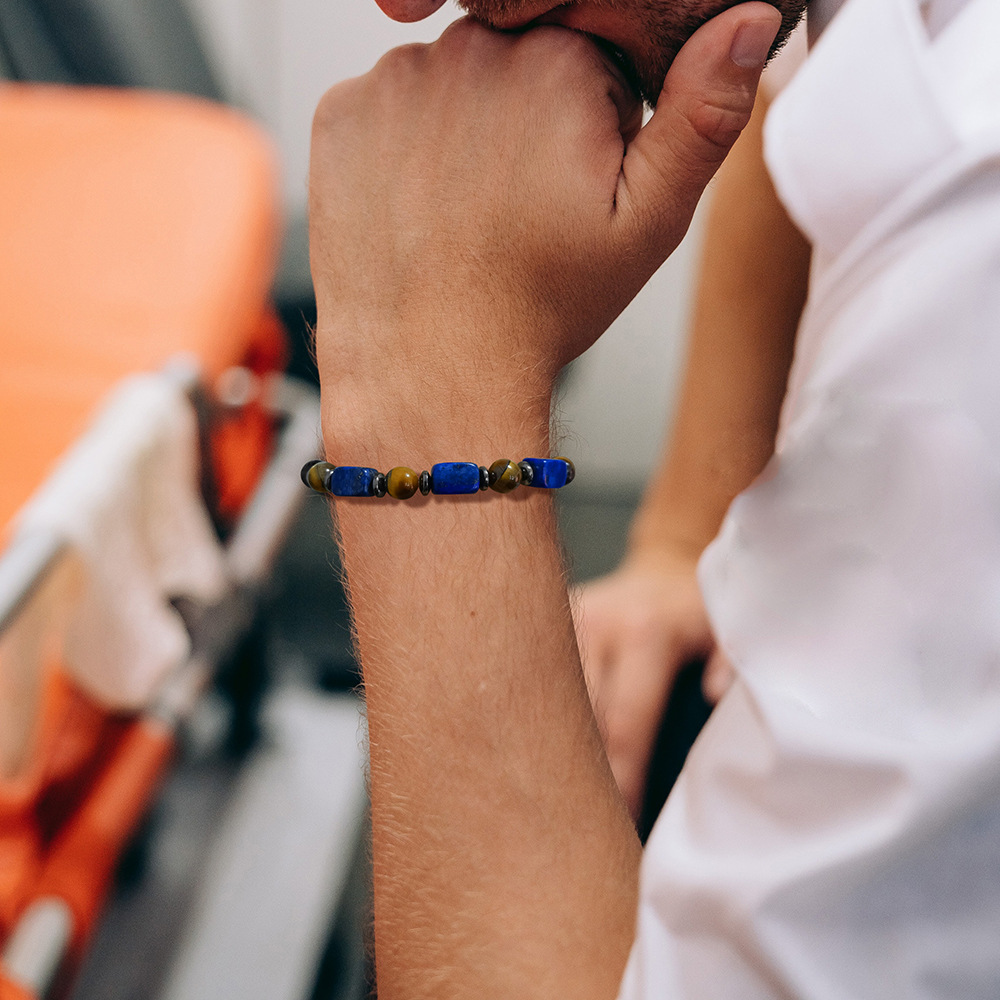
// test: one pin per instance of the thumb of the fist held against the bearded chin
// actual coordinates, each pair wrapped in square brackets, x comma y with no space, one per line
[706,101]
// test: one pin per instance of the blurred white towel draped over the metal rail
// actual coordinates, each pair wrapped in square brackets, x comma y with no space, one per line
[126,497]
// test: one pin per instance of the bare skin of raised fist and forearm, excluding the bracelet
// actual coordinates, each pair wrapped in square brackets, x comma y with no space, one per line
[480,210]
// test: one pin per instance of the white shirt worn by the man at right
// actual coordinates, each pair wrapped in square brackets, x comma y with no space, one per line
[836,831]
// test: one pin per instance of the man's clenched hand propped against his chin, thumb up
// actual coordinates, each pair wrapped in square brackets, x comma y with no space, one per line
[483,207]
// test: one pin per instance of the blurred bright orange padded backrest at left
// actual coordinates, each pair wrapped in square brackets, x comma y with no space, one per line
[133,227]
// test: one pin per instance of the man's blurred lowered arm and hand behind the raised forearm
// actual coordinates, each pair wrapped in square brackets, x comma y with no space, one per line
[639,625]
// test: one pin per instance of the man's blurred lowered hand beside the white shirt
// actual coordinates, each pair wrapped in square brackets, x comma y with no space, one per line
[636,628]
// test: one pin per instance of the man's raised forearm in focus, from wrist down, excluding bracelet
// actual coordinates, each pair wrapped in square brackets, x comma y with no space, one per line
[497,828]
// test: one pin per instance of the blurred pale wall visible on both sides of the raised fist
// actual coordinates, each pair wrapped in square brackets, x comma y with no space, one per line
[279,56]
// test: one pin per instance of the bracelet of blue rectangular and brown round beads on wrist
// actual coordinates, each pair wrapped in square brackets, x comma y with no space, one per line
[444,479]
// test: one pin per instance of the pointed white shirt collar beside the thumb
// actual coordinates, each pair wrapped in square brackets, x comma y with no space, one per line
[861,119]
